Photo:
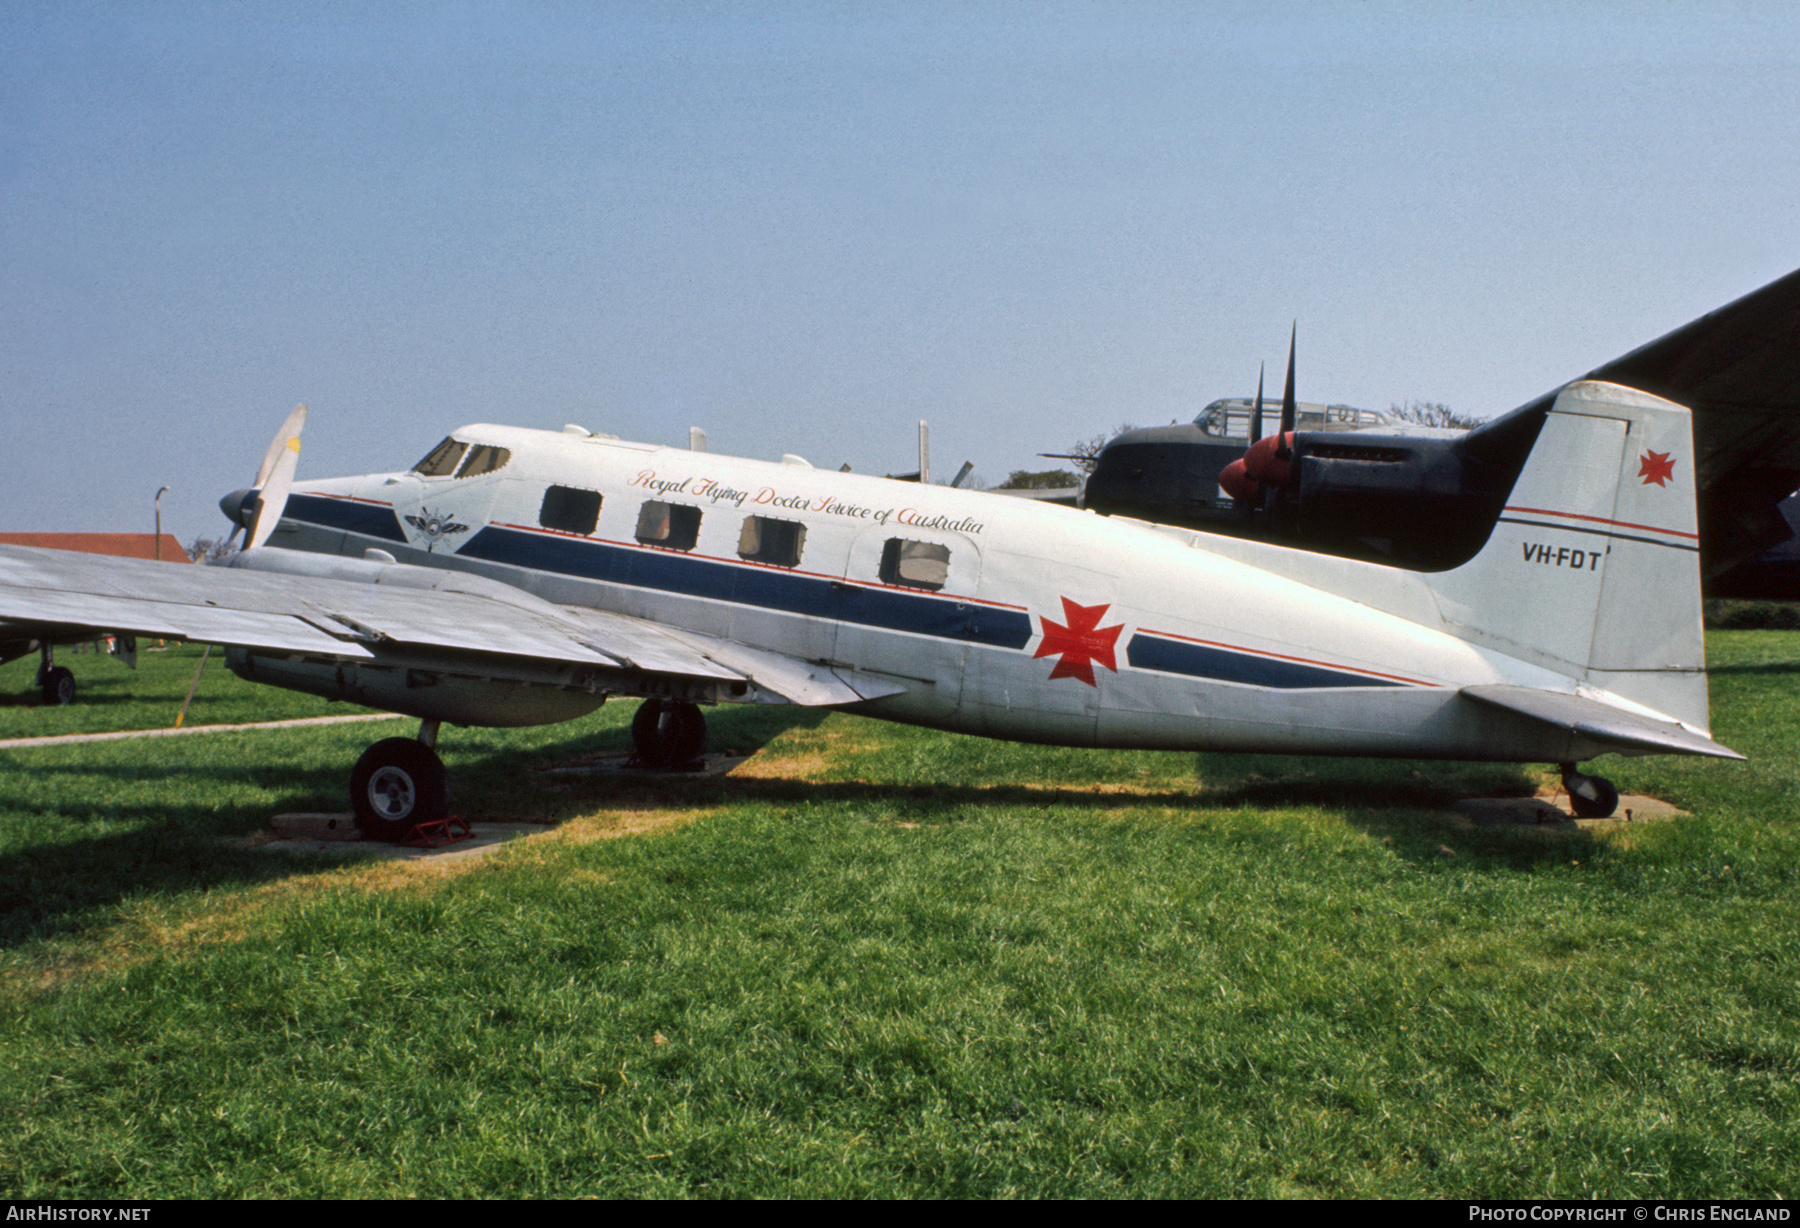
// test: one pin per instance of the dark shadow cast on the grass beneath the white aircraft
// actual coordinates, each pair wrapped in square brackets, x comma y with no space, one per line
[174,847]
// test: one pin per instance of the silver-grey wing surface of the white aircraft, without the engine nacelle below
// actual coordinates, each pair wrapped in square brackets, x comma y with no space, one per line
[57,595]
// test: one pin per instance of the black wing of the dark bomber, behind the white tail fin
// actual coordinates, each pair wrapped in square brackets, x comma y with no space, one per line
[1740,372]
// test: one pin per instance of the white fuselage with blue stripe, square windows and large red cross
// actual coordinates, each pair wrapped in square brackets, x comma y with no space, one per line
[998,617]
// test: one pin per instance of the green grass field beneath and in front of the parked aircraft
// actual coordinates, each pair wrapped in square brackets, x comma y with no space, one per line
[895,962]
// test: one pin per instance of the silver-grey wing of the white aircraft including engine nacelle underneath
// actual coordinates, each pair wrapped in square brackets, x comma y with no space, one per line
[433,644]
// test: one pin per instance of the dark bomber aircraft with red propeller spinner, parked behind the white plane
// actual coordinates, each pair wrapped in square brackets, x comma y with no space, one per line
[1426,500]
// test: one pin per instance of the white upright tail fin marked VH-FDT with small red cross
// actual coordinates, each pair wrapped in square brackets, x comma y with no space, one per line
[1594,566]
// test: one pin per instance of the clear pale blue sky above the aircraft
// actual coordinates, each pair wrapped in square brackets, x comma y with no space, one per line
[804,228]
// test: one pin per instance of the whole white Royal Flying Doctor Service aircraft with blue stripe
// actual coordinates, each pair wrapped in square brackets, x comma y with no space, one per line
[525,577]
